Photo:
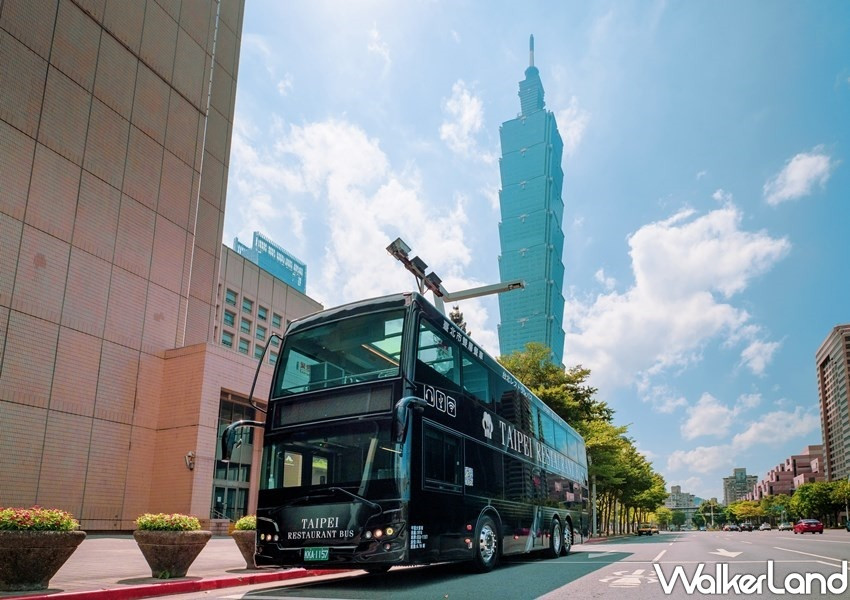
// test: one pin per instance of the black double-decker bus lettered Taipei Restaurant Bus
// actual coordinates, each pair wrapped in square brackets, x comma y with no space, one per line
[392,438]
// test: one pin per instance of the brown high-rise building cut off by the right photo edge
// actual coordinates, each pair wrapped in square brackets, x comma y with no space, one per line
[832,361]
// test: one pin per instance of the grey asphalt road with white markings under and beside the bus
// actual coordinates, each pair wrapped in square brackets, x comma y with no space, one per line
[622,569]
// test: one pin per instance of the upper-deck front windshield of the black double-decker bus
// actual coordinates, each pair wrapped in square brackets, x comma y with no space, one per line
[352,350]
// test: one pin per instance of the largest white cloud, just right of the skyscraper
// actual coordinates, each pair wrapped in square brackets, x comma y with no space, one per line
[684,267]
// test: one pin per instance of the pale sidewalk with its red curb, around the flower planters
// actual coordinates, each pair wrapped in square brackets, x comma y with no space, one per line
[112,567]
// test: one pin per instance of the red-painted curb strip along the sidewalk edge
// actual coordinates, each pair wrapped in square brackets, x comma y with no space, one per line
[147,590]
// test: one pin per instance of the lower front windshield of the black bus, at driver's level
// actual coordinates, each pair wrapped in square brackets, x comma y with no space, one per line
[351,455]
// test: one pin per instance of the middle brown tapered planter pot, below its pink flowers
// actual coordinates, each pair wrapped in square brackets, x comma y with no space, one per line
[171,553]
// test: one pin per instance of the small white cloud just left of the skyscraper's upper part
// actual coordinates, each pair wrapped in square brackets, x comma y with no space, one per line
[463,120]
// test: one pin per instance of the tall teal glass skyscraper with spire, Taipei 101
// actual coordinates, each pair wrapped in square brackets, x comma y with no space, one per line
[530,234]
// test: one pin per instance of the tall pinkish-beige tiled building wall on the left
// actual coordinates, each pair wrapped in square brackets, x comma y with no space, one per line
[112,181]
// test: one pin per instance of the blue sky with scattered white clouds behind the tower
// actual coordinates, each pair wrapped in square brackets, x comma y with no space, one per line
[705,188]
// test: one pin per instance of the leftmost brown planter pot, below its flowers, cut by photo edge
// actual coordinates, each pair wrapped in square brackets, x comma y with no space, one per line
[28,559]
